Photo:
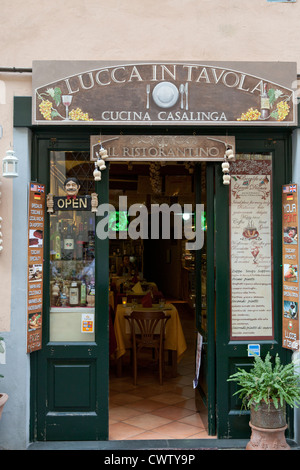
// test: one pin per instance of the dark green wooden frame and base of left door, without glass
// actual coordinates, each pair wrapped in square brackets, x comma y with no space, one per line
[90,358]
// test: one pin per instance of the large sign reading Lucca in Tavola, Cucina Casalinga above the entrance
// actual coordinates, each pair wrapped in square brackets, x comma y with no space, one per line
[168,93]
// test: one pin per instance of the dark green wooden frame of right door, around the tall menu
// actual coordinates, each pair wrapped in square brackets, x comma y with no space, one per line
[232,353]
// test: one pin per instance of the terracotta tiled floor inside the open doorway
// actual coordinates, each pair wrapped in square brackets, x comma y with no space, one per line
[152,411]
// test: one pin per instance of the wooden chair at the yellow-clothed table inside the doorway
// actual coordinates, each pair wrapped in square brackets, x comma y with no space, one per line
[148,331]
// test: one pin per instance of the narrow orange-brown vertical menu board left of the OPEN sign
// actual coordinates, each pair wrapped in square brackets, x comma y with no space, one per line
[35,266]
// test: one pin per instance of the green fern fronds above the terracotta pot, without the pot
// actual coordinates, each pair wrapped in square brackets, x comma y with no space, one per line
[264,382]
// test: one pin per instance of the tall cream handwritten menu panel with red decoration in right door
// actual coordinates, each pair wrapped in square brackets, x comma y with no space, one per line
[251,248]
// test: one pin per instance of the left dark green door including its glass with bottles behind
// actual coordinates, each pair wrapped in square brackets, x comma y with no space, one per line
[70,372]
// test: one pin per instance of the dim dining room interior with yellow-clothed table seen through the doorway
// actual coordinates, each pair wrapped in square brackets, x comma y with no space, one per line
[151,274]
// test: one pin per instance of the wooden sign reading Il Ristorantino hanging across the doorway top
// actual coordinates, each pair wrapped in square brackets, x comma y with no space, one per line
[161,147]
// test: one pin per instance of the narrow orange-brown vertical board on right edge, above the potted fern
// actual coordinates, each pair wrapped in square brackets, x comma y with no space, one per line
[290,319]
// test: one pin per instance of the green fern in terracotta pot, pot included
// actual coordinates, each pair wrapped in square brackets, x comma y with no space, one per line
[265,390]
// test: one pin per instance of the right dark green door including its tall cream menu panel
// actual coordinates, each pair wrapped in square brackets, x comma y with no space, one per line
[246,314]
